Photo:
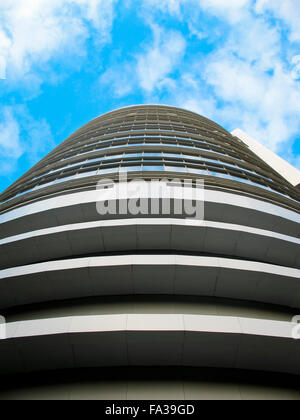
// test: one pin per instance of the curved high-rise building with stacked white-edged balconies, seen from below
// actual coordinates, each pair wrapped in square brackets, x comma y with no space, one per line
[151,304]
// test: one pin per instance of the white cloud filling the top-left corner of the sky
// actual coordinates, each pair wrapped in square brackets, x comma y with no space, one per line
[34,31]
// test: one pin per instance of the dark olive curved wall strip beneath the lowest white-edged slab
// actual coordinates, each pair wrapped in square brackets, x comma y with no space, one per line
[150,383]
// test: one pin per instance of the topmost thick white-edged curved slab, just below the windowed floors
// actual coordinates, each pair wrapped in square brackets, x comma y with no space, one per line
[81,207]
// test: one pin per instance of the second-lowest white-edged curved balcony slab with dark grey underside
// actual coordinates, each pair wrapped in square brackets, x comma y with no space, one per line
[150,274]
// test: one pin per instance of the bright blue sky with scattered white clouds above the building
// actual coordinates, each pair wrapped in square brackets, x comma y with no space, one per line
[64,62]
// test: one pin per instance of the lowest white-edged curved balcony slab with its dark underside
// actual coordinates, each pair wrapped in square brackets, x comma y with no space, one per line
[150,340]
